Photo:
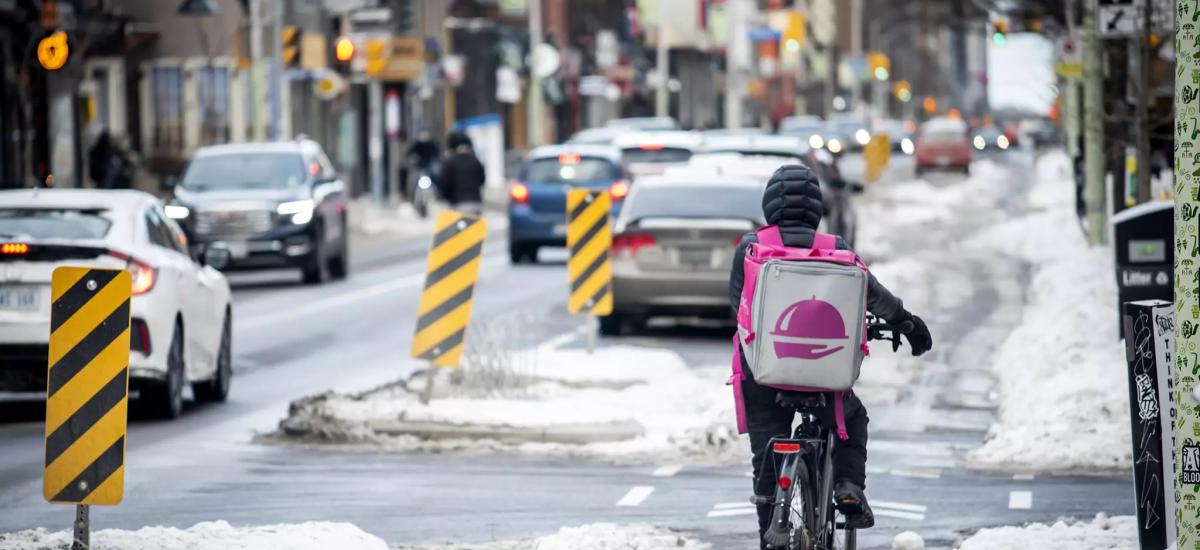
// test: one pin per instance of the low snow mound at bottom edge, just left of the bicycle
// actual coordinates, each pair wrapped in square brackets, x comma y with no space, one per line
[589,537]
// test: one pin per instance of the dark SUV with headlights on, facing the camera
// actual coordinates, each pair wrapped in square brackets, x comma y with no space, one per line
[271,205]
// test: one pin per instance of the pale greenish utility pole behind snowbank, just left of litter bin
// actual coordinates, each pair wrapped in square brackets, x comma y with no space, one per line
[1094,128]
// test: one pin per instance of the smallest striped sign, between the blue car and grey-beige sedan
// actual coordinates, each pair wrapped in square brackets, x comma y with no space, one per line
[589,238]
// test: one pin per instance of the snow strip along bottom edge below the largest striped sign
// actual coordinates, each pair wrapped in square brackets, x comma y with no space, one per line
[207,536]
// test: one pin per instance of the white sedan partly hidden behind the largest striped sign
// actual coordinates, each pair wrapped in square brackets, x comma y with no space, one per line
[181,310]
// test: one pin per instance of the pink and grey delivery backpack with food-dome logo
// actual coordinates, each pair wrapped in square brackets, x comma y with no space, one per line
[802,320]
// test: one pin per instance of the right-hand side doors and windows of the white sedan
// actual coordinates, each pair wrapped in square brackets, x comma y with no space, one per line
[191,298]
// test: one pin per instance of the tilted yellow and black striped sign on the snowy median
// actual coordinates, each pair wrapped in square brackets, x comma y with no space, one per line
[451,276]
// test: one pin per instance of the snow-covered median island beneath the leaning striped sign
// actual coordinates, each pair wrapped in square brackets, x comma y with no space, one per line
[620,403]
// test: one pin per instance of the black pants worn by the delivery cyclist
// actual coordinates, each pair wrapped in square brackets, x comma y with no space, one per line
[767,420]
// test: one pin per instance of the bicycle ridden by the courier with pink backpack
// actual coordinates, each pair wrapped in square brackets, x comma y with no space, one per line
[807,467]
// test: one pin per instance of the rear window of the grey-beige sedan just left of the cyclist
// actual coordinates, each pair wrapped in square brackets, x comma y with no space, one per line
[695,201]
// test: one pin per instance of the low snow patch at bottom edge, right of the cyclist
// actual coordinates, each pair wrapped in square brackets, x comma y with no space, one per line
[1102,534]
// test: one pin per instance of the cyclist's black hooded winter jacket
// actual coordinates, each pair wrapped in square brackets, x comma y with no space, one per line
[793,201]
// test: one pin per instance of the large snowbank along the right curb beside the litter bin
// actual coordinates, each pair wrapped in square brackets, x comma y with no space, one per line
[1064,391]
